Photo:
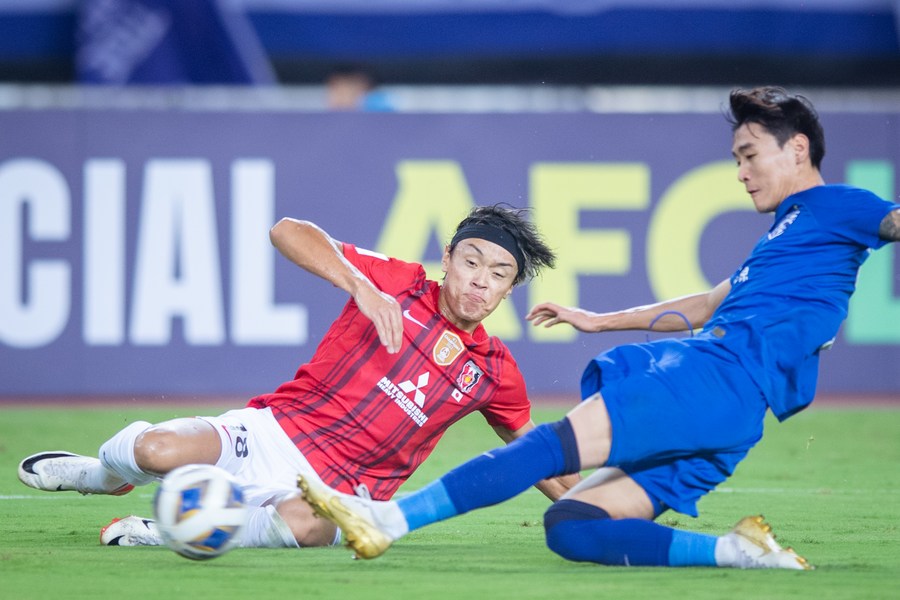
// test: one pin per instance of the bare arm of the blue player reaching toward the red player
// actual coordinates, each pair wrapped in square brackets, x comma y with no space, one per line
[664,316]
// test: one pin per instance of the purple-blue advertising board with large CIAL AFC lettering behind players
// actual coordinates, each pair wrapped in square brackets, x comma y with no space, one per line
[134,251]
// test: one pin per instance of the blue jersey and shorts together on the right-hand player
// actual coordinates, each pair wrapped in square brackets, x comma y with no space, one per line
[685,411]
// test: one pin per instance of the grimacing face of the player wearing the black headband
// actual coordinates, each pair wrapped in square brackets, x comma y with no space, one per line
[479,275]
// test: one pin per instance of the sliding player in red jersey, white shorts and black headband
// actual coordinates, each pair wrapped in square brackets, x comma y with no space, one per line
[406,358]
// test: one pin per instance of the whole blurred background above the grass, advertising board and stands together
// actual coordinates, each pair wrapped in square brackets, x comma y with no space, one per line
[147,145]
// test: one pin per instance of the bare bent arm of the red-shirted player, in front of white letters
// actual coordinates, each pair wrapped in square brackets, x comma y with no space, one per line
[308,246]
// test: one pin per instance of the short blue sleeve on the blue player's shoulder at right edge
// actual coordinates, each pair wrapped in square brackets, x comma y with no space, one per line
[856,213]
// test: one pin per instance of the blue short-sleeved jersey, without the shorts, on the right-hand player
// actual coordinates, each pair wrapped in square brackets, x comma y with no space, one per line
[790,296]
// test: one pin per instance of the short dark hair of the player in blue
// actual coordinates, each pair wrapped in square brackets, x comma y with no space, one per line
[781,114]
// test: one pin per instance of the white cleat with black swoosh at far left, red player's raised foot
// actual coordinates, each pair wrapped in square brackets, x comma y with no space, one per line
[59,471]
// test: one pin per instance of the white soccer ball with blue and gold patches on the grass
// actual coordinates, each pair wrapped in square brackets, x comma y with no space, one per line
[200,511]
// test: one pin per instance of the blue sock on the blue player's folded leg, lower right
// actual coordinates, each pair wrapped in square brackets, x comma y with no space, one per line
[583,532]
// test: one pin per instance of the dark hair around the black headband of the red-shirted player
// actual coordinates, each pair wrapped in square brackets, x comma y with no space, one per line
[536,253]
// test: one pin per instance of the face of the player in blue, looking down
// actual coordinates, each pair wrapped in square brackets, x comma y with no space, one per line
[770,173]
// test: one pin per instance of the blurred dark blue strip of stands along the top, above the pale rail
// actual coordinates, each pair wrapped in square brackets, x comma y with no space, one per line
[842,43]
